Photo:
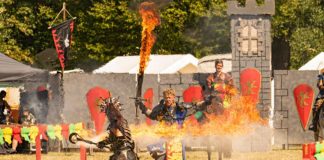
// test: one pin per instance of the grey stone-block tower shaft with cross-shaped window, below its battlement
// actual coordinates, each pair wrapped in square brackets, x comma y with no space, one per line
[245,56]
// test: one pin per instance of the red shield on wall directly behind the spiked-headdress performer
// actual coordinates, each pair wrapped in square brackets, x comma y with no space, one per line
[94,96]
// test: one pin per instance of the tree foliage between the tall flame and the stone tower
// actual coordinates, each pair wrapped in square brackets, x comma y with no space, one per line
[199,27]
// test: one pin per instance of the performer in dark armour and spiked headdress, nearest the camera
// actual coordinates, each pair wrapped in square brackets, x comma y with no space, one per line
[119,139]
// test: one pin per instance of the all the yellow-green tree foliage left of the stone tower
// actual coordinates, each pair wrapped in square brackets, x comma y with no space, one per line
[107,28]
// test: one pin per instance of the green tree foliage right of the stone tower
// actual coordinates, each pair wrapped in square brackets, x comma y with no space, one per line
[301,24]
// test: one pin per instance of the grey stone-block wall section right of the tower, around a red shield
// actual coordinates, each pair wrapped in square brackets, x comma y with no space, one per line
[288,130]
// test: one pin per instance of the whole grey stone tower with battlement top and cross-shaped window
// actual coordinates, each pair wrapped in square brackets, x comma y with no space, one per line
[251,43]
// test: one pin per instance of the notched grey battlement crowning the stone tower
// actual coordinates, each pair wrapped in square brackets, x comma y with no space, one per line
[251,8]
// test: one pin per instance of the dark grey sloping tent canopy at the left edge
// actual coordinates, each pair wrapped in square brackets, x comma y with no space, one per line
[12,70]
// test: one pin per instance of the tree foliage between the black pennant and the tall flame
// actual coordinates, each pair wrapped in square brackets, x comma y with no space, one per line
[109,29]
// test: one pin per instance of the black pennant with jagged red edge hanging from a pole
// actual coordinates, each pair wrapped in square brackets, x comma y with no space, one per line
[62,36]
